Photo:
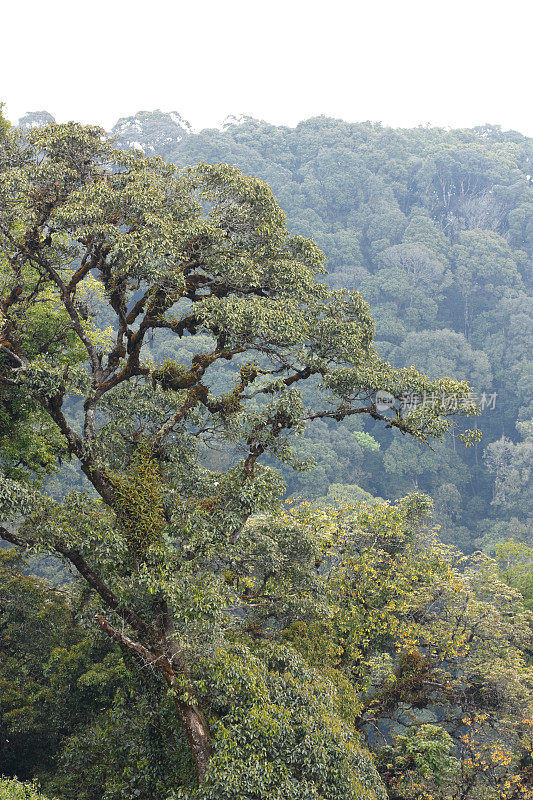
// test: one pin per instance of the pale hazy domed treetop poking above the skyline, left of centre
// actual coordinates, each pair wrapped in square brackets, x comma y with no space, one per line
[152,132]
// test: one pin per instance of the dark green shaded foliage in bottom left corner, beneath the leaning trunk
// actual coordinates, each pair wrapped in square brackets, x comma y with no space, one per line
[74,712]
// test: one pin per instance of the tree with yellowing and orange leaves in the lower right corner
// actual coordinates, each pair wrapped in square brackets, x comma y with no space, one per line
[434,647]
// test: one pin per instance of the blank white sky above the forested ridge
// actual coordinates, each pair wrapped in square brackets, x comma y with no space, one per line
[403,63]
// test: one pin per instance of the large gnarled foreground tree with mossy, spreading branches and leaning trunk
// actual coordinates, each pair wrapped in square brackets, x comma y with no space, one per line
[92,237]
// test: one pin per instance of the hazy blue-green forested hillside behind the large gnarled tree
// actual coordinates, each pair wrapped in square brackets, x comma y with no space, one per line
[435,229]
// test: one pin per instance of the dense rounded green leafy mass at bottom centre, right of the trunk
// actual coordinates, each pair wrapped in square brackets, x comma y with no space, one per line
[277,734]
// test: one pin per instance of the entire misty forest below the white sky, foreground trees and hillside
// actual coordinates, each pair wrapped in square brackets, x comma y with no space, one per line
[266,440]
